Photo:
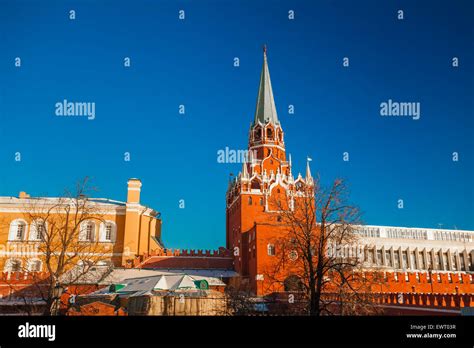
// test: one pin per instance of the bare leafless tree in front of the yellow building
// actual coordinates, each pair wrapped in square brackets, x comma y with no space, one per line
[64,241]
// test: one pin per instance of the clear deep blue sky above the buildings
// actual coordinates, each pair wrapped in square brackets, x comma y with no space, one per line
[190,62]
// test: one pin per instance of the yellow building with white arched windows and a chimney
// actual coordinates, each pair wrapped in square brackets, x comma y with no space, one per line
[34,228]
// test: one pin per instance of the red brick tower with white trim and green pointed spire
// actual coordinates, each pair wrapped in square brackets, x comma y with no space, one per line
[251,196]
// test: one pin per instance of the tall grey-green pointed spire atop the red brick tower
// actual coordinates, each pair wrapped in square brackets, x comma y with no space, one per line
[265,111]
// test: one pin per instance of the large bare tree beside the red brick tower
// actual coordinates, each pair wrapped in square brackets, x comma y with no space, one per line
[312,256]
